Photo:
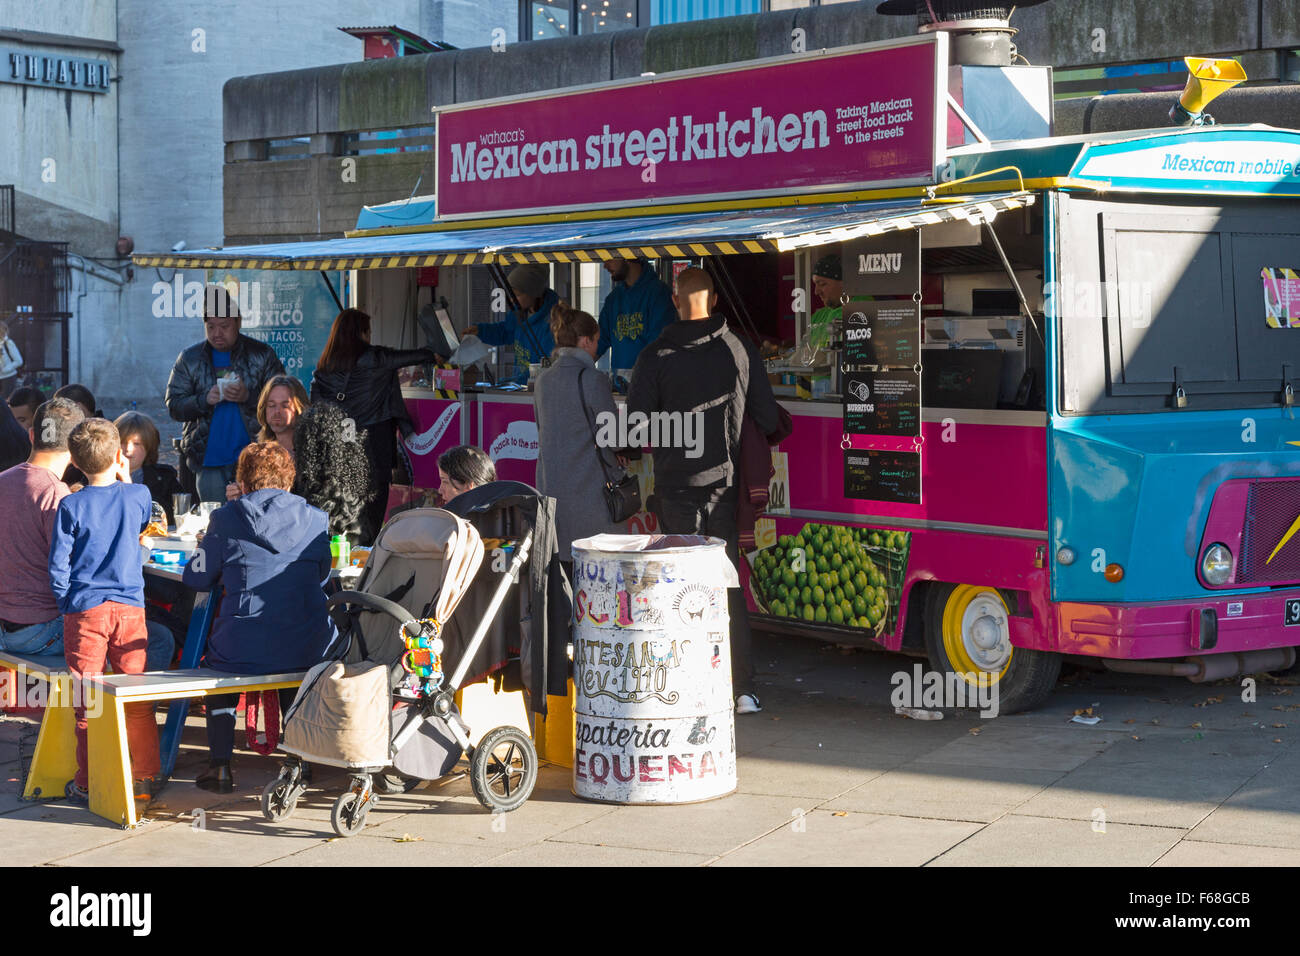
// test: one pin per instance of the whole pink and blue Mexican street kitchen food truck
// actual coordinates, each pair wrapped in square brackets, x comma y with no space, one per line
[1042,387]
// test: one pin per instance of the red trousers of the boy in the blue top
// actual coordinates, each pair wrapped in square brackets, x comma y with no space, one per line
[114,634]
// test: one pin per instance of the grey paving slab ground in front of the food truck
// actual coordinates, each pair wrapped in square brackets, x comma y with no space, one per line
[1175,775]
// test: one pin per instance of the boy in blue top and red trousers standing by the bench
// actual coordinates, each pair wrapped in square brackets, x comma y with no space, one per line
[97,578]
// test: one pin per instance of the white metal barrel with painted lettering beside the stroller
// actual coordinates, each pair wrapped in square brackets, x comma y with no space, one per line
[652,669]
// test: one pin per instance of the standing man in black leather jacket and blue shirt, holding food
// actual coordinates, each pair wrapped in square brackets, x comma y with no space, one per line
[219,419]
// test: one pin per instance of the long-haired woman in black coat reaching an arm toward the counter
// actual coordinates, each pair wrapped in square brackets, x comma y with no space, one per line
[363,380]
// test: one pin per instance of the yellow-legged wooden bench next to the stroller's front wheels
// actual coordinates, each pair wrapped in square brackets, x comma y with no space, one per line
[110,763]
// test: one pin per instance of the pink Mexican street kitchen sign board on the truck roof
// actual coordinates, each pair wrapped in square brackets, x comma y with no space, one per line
[834,120]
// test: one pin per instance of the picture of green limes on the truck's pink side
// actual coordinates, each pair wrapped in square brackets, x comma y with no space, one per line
[822,577]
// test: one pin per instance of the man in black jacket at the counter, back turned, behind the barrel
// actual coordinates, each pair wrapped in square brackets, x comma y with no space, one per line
[703,370]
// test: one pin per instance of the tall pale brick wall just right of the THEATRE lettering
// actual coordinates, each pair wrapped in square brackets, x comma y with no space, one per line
[177,57]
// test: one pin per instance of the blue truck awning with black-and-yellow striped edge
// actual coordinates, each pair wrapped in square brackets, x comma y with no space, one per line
[652,237]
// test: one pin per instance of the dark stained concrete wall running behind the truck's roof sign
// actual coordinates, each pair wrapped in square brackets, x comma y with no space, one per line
[389,94]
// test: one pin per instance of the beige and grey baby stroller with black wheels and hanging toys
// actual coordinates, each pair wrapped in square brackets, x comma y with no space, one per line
[384,708]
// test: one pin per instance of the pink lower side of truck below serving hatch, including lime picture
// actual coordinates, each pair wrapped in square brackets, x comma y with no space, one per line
[812,504]
